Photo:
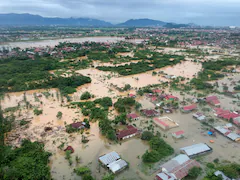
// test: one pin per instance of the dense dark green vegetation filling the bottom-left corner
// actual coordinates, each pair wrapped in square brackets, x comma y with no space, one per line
[30,161]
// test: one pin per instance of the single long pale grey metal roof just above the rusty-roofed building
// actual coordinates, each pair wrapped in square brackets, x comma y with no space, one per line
[196,149]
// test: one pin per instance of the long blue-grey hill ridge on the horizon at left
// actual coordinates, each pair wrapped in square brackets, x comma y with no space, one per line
[29,19]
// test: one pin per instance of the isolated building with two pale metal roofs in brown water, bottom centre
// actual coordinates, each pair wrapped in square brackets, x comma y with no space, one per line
[113,162]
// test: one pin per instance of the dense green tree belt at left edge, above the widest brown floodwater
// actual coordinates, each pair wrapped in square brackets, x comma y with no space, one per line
[25,74]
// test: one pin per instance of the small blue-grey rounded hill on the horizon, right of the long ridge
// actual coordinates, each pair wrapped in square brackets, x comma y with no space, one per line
[142,23]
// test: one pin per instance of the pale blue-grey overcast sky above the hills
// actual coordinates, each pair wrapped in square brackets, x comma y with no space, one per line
[202,12]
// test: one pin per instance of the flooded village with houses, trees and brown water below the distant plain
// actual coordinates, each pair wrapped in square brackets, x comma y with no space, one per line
[151,109]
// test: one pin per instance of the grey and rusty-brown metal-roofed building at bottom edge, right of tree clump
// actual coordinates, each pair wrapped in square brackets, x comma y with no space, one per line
[176,168]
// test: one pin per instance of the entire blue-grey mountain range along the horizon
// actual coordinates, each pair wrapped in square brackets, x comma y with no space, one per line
[34,20]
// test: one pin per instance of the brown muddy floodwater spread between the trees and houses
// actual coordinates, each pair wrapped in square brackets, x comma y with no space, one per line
[47,128]
